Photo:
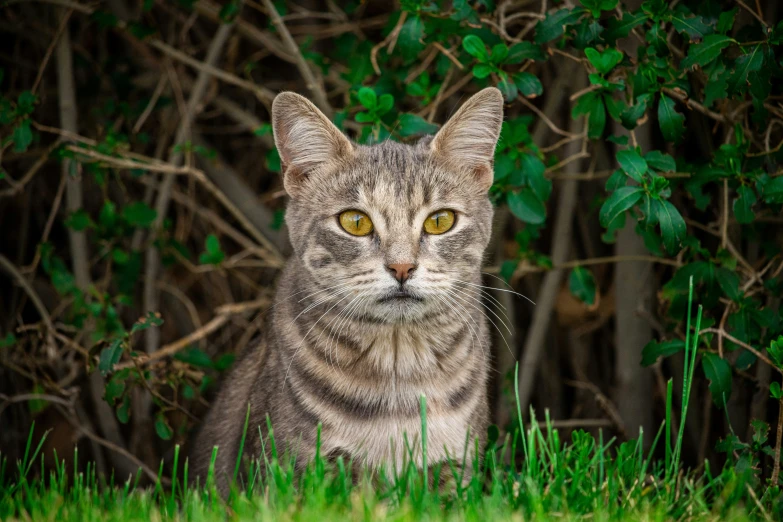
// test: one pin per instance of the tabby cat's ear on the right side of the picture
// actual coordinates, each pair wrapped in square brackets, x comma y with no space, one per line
[468,139]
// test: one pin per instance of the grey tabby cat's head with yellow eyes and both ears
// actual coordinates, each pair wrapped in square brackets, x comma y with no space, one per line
[391,231]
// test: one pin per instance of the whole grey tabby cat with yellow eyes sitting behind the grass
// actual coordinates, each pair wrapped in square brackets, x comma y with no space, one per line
[379,303]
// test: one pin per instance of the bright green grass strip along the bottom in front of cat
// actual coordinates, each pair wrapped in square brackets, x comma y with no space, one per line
[531,474]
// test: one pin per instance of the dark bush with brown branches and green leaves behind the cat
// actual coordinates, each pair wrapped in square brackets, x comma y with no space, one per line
[141,225]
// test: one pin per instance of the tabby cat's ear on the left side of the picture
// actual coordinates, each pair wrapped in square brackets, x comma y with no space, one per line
[307,141]
